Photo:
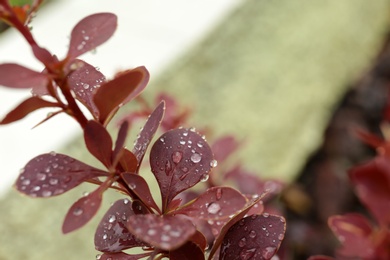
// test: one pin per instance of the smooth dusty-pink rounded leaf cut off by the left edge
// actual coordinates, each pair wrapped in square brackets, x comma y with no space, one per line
[16,76]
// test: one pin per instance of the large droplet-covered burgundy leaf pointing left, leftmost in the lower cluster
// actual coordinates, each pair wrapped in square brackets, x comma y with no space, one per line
[52,174]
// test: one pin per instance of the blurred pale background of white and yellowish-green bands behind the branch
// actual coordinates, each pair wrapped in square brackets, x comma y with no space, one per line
[269,72]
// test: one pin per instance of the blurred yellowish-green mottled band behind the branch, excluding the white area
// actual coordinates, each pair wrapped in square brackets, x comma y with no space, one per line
[271,74]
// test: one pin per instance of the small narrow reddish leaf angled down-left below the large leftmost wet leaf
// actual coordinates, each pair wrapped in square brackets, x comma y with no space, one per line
[83,210]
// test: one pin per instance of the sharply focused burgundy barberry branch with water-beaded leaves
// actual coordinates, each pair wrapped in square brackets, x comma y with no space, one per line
[219,223]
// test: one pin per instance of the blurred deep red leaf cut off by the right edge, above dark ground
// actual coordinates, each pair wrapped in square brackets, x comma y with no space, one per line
[372,184]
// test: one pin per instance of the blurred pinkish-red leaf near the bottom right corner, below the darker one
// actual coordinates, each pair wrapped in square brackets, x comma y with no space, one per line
[353,231]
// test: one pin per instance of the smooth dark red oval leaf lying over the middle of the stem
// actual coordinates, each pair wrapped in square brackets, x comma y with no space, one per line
[98,142]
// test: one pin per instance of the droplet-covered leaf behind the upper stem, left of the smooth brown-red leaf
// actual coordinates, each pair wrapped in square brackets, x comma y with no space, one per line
[84,81]
